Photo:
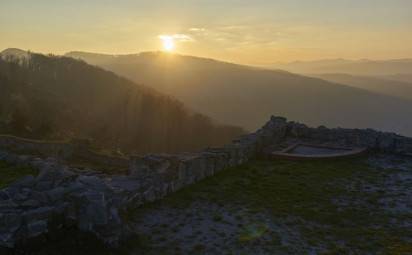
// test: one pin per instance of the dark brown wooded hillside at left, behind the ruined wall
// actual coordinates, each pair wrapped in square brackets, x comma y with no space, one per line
[54,97]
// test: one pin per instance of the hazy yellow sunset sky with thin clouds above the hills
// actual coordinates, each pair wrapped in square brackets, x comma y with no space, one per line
[244,31]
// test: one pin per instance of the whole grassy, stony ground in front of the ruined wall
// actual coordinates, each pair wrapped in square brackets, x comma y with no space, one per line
[345,206]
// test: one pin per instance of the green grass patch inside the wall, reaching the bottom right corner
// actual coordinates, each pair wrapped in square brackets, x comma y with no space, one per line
[305,190]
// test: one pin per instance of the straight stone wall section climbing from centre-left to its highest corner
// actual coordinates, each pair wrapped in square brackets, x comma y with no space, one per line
[164,173]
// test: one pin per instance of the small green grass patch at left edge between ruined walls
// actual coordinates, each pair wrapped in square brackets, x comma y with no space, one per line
[10,173]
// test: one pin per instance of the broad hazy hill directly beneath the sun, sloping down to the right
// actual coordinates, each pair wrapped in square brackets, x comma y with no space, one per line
[247,96]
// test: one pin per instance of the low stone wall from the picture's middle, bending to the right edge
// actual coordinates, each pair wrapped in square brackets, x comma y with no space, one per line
[172,172]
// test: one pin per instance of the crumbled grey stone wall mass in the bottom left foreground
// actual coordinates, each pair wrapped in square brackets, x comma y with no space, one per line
[59,197]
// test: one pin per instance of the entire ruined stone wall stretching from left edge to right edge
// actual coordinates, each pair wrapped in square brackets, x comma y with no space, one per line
[62,197]
